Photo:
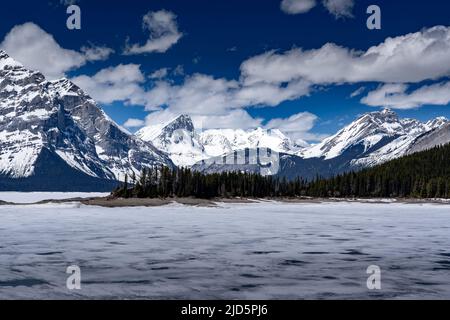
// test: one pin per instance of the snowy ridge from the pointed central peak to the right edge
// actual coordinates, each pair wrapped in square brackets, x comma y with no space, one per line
[374,137]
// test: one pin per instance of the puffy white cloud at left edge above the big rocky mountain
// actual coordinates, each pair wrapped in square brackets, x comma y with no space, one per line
[38,50]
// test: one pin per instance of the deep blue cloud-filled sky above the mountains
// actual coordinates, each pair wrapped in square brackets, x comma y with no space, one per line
[205,44]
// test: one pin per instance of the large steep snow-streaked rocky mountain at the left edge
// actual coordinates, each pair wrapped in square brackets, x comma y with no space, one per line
[53,126]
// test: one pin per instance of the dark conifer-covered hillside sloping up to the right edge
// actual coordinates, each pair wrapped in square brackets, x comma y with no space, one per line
[425,174]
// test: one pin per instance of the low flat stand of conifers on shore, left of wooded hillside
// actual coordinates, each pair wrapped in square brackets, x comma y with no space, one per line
[182,182]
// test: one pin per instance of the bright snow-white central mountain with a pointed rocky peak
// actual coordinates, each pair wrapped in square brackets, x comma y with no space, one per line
[186,146]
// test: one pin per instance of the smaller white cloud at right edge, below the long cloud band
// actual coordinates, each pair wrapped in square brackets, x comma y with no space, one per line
[397,96]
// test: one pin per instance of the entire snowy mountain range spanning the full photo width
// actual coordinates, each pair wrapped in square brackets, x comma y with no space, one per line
[54,137]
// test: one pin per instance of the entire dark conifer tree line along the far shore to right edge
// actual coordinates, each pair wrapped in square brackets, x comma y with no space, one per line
[422,175]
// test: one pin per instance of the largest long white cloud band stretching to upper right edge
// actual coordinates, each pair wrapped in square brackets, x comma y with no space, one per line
[411,58]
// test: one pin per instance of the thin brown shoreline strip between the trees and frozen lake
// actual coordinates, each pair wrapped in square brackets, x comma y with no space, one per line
[108,202]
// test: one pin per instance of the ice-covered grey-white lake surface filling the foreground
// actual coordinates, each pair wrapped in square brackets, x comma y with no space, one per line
[234,251]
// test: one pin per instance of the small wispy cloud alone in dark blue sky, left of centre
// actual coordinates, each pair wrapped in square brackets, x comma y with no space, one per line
[163,30]
